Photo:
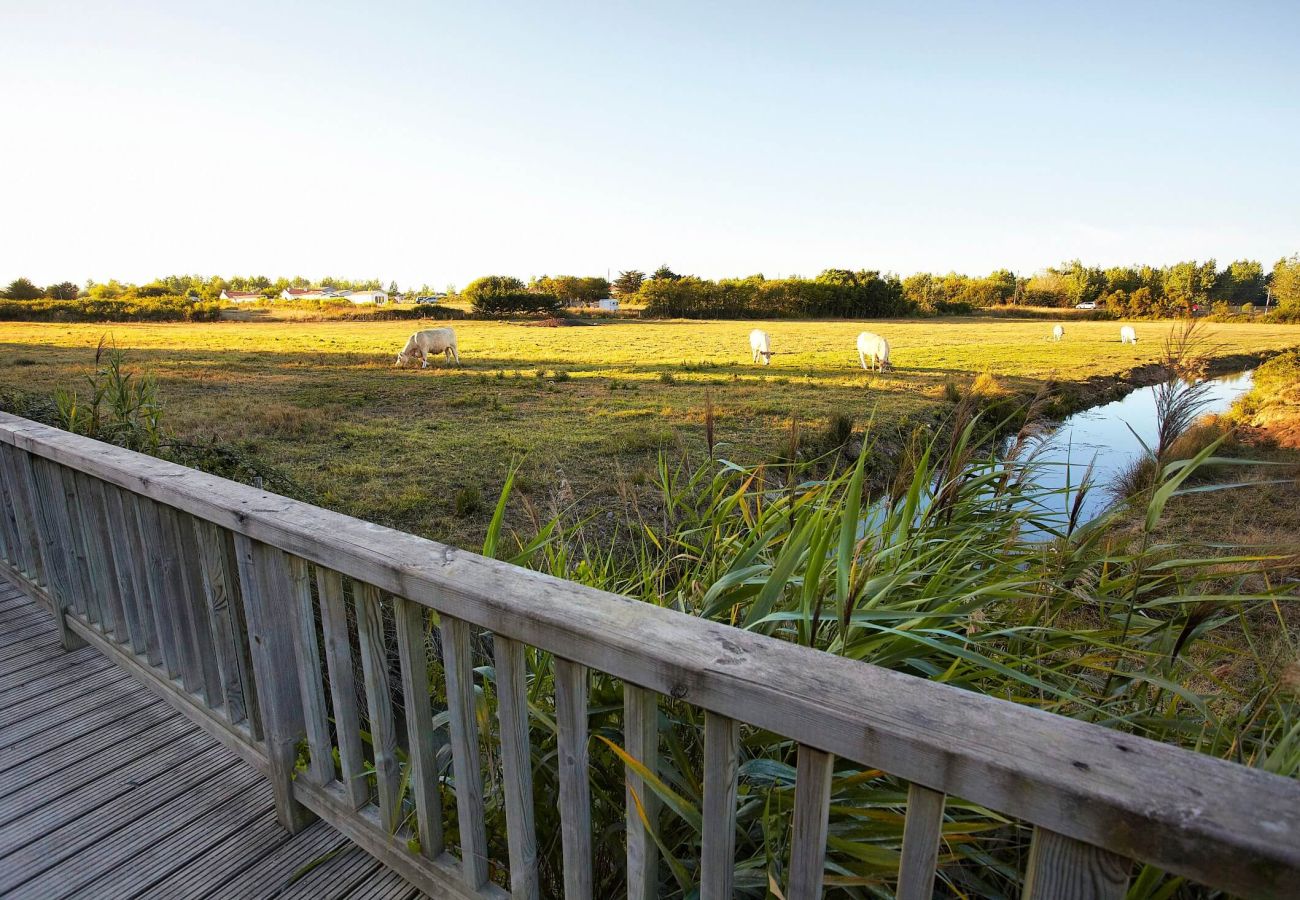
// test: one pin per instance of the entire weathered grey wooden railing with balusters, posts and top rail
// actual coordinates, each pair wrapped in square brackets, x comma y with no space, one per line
[236,605]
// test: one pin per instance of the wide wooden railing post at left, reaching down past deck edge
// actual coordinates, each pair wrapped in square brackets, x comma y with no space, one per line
[268,596]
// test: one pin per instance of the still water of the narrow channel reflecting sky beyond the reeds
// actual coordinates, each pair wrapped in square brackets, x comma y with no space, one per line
[1104,436]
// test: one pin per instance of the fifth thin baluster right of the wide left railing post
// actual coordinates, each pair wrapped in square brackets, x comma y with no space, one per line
[458,665]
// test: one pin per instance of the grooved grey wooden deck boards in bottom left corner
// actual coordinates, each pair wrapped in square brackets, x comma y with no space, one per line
[107,791]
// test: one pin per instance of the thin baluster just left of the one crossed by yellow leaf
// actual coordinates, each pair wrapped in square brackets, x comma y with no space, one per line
[571,691]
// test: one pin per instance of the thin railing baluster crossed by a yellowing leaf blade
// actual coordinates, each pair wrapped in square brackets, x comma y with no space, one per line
[642,742]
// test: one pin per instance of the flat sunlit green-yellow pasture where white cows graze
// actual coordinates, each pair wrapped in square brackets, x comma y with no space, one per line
[587,409]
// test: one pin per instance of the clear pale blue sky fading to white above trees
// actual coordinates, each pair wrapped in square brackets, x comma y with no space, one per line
[439,142]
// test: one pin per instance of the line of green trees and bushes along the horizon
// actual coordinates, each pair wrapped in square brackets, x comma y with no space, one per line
[1126,291]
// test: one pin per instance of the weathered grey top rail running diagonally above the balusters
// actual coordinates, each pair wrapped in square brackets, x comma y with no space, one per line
[1210,820]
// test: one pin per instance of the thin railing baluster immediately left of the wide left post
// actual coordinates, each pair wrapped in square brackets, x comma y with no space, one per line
[220,591]
